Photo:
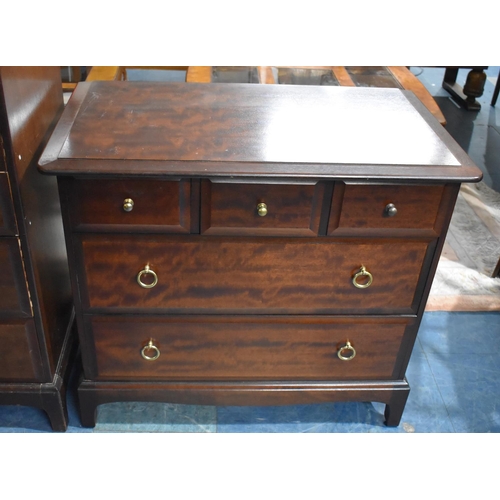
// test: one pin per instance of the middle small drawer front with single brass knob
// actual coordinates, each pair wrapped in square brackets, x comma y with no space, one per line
[261,209]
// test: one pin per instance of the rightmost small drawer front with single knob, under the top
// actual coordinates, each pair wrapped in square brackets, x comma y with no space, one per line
[358,207]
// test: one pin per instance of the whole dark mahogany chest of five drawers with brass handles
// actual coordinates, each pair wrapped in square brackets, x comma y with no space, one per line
[246,244]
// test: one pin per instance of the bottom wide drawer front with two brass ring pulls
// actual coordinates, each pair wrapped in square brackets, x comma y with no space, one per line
[245,348]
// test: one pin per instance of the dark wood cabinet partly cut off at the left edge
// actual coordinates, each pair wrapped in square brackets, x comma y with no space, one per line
[37,340]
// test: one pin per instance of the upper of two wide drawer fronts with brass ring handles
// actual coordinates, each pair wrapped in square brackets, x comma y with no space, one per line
[267,275]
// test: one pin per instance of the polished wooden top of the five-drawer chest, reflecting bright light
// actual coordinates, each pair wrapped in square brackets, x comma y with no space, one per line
[245,129]
